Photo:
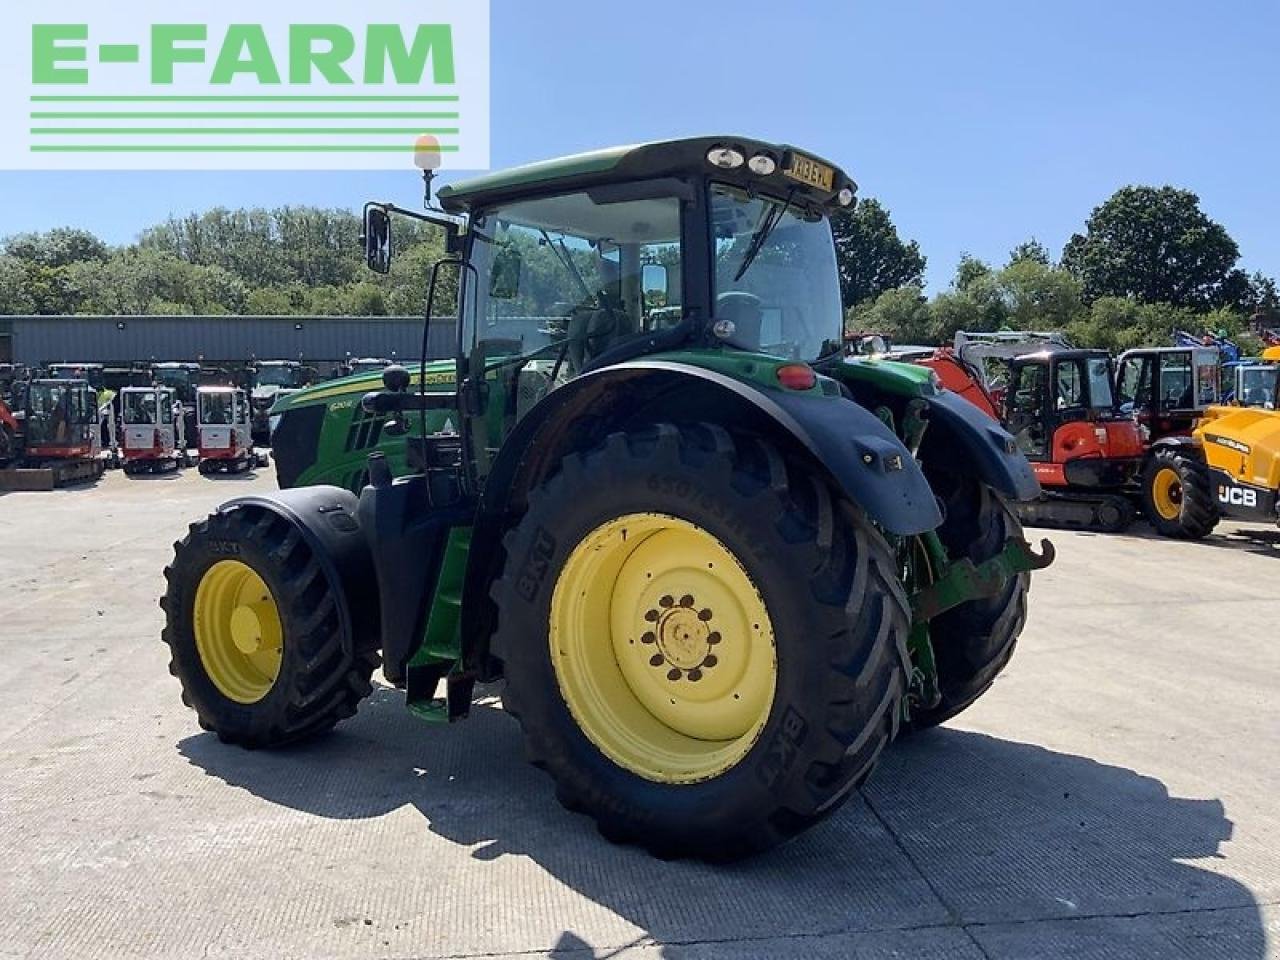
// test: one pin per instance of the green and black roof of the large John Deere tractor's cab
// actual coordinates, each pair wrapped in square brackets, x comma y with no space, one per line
[638,162]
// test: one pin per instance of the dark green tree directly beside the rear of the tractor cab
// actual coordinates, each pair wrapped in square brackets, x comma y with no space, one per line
[871,254]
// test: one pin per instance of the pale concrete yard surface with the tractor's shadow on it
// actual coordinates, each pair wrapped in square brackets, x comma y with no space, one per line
[1114,796]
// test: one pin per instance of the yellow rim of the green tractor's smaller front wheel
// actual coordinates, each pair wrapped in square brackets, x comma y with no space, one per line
[239,634]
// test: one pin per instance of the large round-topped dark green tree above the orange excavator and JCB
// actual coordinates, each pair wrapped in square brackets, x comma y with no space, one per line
[1156,245]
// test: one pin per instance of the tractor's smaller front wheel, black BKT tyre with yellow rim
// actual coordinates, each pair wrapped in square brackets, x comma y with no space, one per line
[255,632]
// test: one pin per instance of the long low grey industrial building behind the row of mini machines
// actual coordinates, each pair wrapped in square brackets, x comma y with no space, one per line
[217,340]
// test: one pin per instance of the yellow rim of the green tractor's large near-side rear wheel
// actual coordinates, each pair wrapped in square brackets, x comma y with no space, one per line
[662,648]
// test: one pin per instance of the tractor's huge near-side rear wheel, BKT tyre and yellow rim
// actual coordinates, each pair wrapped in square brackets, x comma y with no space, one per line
[705,644]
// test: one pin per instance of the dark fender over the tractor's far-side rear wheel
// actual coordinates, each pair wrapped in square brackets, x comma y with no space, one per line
[971,436]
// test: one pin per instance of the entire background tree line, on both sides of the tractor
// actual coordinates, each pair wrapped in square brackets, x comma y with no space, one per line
[1149,262]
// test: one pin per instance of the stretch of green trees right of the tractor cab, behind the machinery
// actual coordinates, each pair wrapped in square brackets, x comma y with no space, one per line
[1148,263]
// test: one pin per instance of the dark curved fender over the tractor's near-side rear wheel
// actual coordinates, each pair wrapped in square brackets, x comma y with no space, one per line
[860,455]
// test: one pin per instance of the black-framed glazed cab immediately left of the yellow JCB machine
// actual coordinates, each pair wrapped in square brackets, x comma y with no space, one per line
[1167,390]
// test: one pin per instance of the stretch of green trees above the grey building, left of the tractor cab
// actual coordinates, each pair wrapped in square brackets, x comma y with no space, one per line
[286,262]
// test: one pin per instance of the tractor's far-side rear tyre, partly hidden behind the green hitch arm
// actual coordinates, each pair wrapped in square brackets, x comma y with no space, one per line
[975,642]
